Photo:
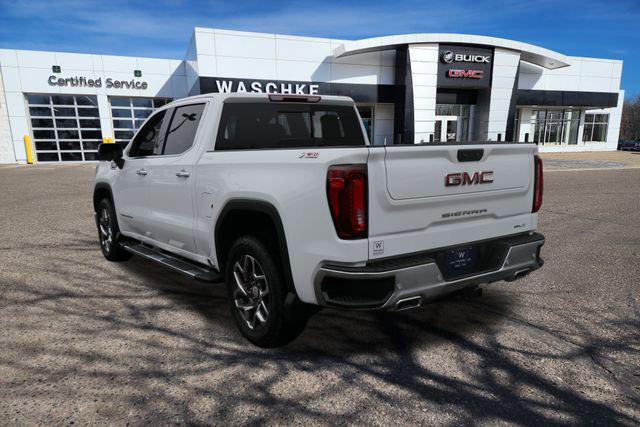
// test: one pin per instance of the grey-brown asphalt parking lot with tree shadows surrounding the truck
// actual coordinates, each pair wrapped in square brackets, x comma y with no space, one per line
[86,341]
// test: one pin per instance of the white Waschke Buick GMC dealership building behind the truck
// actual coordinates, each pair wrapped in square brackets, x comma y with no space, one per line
[409,89]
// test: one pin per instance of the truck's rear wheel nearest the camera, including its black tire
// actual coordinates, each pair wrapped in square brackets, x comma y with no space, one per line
[264,311]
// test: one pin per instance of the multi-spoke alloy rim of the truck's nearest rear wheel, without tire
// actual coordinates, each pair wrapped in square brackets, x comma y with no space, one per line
[251,291]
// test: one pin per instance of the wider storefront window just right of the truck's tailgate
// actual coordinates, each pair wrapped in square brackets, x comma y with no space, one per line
[556,127]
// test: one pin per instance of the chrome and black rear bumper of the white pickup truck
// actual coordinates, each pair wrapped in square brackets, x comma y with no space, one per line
[405,282]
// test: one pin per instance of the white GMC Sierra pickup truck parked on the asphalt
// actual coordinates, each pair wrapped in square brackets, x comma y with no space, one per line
[283,198]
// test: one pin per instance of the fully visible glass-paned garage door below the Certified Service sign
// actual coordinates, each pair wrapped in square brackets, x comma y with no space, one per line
[65,128]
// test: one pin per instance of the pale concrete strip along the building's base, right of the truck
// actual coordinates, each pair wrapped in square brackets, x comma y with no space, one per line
[591,160]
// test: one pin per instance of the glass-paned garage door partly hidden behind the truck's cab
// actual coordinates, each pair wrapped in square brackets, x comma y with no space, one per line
[128,114]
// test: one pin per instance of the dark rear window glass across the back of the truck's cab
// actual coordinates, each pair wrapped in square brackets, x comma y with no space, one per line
[246,126]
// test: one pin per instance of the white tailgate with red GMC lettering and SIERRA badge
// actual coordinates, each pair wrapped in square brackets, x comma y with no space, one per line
[425,197]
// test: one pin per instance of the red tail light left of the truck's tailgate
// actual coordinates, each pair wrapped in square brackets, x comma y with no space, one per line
[347,195]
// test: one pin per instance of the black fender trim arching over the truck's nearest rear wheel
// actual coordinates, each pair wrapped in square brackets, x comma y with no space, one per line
[268,209]
